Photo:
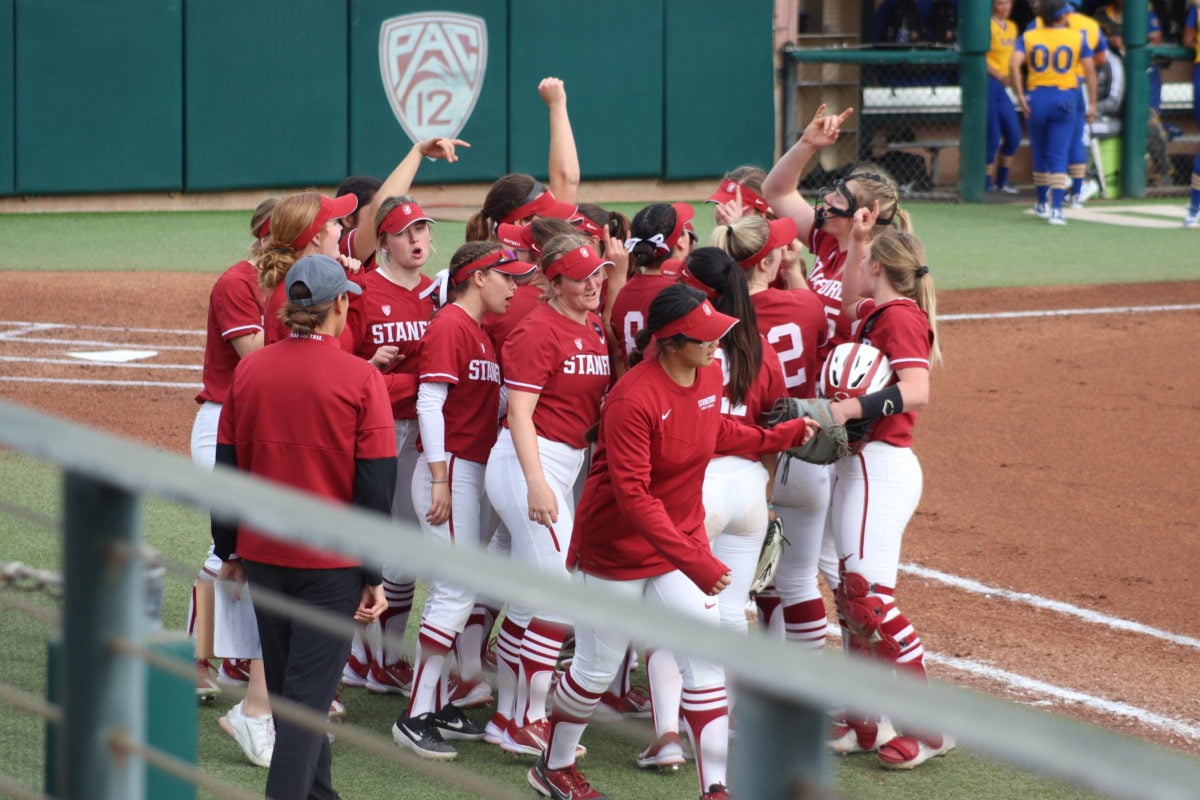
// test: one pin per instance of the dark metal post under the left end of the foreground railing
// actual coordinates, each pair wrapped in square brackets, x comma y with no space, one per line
[103,688]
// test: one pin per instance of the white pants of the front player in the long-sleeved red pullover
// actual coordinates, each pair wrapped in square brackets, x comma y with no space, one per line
[601,654]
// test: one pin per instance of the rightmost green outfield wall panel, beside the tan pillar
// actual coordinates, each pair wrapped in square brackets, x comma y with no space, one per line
[721,107]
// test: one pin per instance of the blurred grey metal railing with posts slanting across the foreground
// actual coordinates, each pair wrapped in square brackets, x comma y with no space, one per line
[784,691]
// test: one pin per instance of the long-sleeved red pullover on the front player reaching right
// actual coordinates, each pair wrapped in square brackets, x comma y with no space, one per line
[641,514]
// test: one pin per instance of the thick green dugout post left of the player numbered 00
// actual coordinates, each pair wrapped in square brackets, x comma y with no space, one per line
[975,41]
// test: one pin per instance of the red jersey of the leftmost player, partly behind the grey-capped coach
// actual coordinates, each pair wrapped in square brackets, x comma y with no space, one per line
[236,310]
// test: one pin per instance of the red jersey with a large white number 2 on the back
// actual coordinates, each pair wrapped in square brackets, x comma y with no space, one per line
[794,321]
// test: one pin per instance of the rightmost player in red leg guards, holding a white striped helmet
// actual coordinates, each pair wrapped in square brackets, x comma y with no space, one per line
[878,489]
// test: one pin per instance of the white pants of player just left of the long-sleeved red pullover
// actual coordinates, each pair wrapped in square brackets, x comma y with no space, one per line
[535,544]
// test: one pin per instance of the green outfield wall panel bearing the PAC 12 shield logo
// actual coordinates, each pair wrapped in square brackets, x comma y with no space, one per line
[421,52]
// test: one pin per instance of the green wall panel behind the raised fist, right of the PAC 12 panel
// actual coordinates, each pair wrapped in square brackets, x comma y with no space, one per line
[611,59]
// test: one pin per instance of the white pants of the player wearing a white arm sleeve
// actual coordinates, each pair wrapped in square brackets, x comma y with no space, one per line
[448,606]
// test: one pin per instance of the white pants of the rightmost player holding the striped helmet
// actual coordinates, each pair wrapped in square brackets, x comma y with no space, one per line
[874,498]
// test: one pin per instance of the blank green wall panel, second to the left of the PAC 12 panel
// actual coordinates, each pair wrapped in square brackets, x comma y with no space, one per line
[99,97]
